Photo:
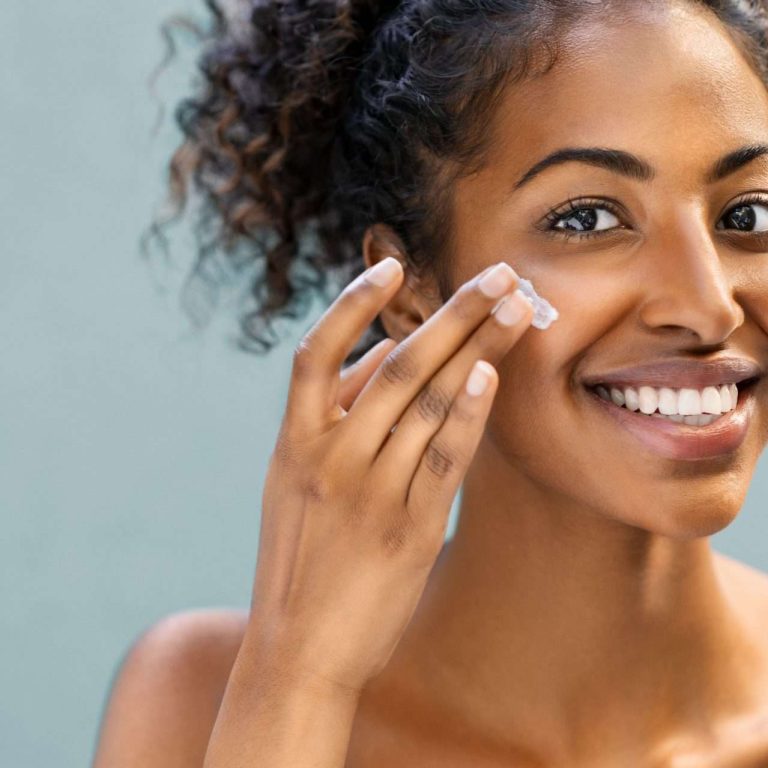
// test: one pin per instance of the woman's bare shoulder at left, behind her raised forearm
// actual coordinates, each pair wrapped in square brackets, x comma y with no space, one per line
[167,690]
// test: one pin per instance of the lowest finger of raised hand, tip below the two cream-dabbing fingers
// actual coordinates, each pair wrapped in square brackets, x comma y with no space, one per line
[450,451]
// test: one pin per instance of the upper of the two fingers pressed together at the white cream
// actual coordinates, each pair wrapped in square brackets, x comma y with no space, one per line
[415,360]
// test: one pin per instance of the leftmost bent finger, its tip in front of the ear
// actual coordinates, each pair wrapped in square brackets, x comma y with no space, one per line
[319,355]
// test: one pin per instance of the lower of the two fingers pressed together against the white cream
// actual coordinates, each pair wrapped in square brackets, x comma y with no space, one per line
[426,414]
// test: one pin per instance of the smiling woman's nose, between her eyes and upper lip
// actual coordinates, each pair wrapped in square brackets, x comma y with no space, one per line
[688,283]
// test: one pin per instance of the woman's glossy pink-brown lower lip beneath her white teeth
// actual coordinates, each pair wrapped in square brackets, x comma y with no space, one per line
[681,441]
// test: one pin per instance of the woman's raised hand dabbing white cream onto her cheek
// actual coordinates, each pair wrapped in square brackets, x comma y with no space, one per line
[354,514]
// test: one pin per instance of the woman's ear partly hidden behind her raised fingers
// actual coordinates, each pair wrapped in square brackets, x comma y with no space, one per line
[414,301]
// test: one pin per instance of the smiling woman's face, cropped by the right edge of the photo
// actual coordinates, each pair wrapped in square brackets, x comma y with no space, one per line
[655,269]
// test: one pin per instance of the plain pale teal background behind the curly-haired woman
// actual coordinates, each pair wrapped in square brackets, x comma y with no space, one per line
[132,446]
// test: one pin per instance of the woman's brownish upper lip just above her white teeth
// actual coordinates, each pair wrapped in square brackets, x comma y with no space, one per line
[680,374]
